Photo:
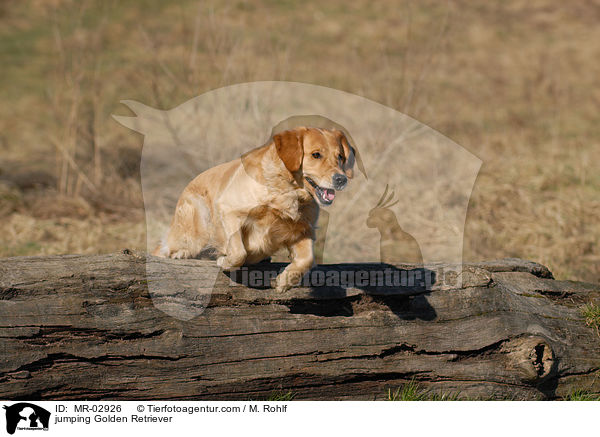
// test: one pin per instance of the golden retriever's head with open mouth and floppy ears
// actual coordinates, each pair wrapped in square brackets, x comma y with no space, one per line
[322,159]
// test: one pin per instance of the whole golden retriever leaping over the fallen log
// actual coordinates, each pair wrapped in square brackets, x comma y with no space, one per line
[247,209]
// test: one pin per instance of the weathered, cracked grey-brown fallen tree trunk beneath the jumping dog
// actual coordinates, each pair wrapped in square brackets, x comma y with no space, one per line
[86,327]
